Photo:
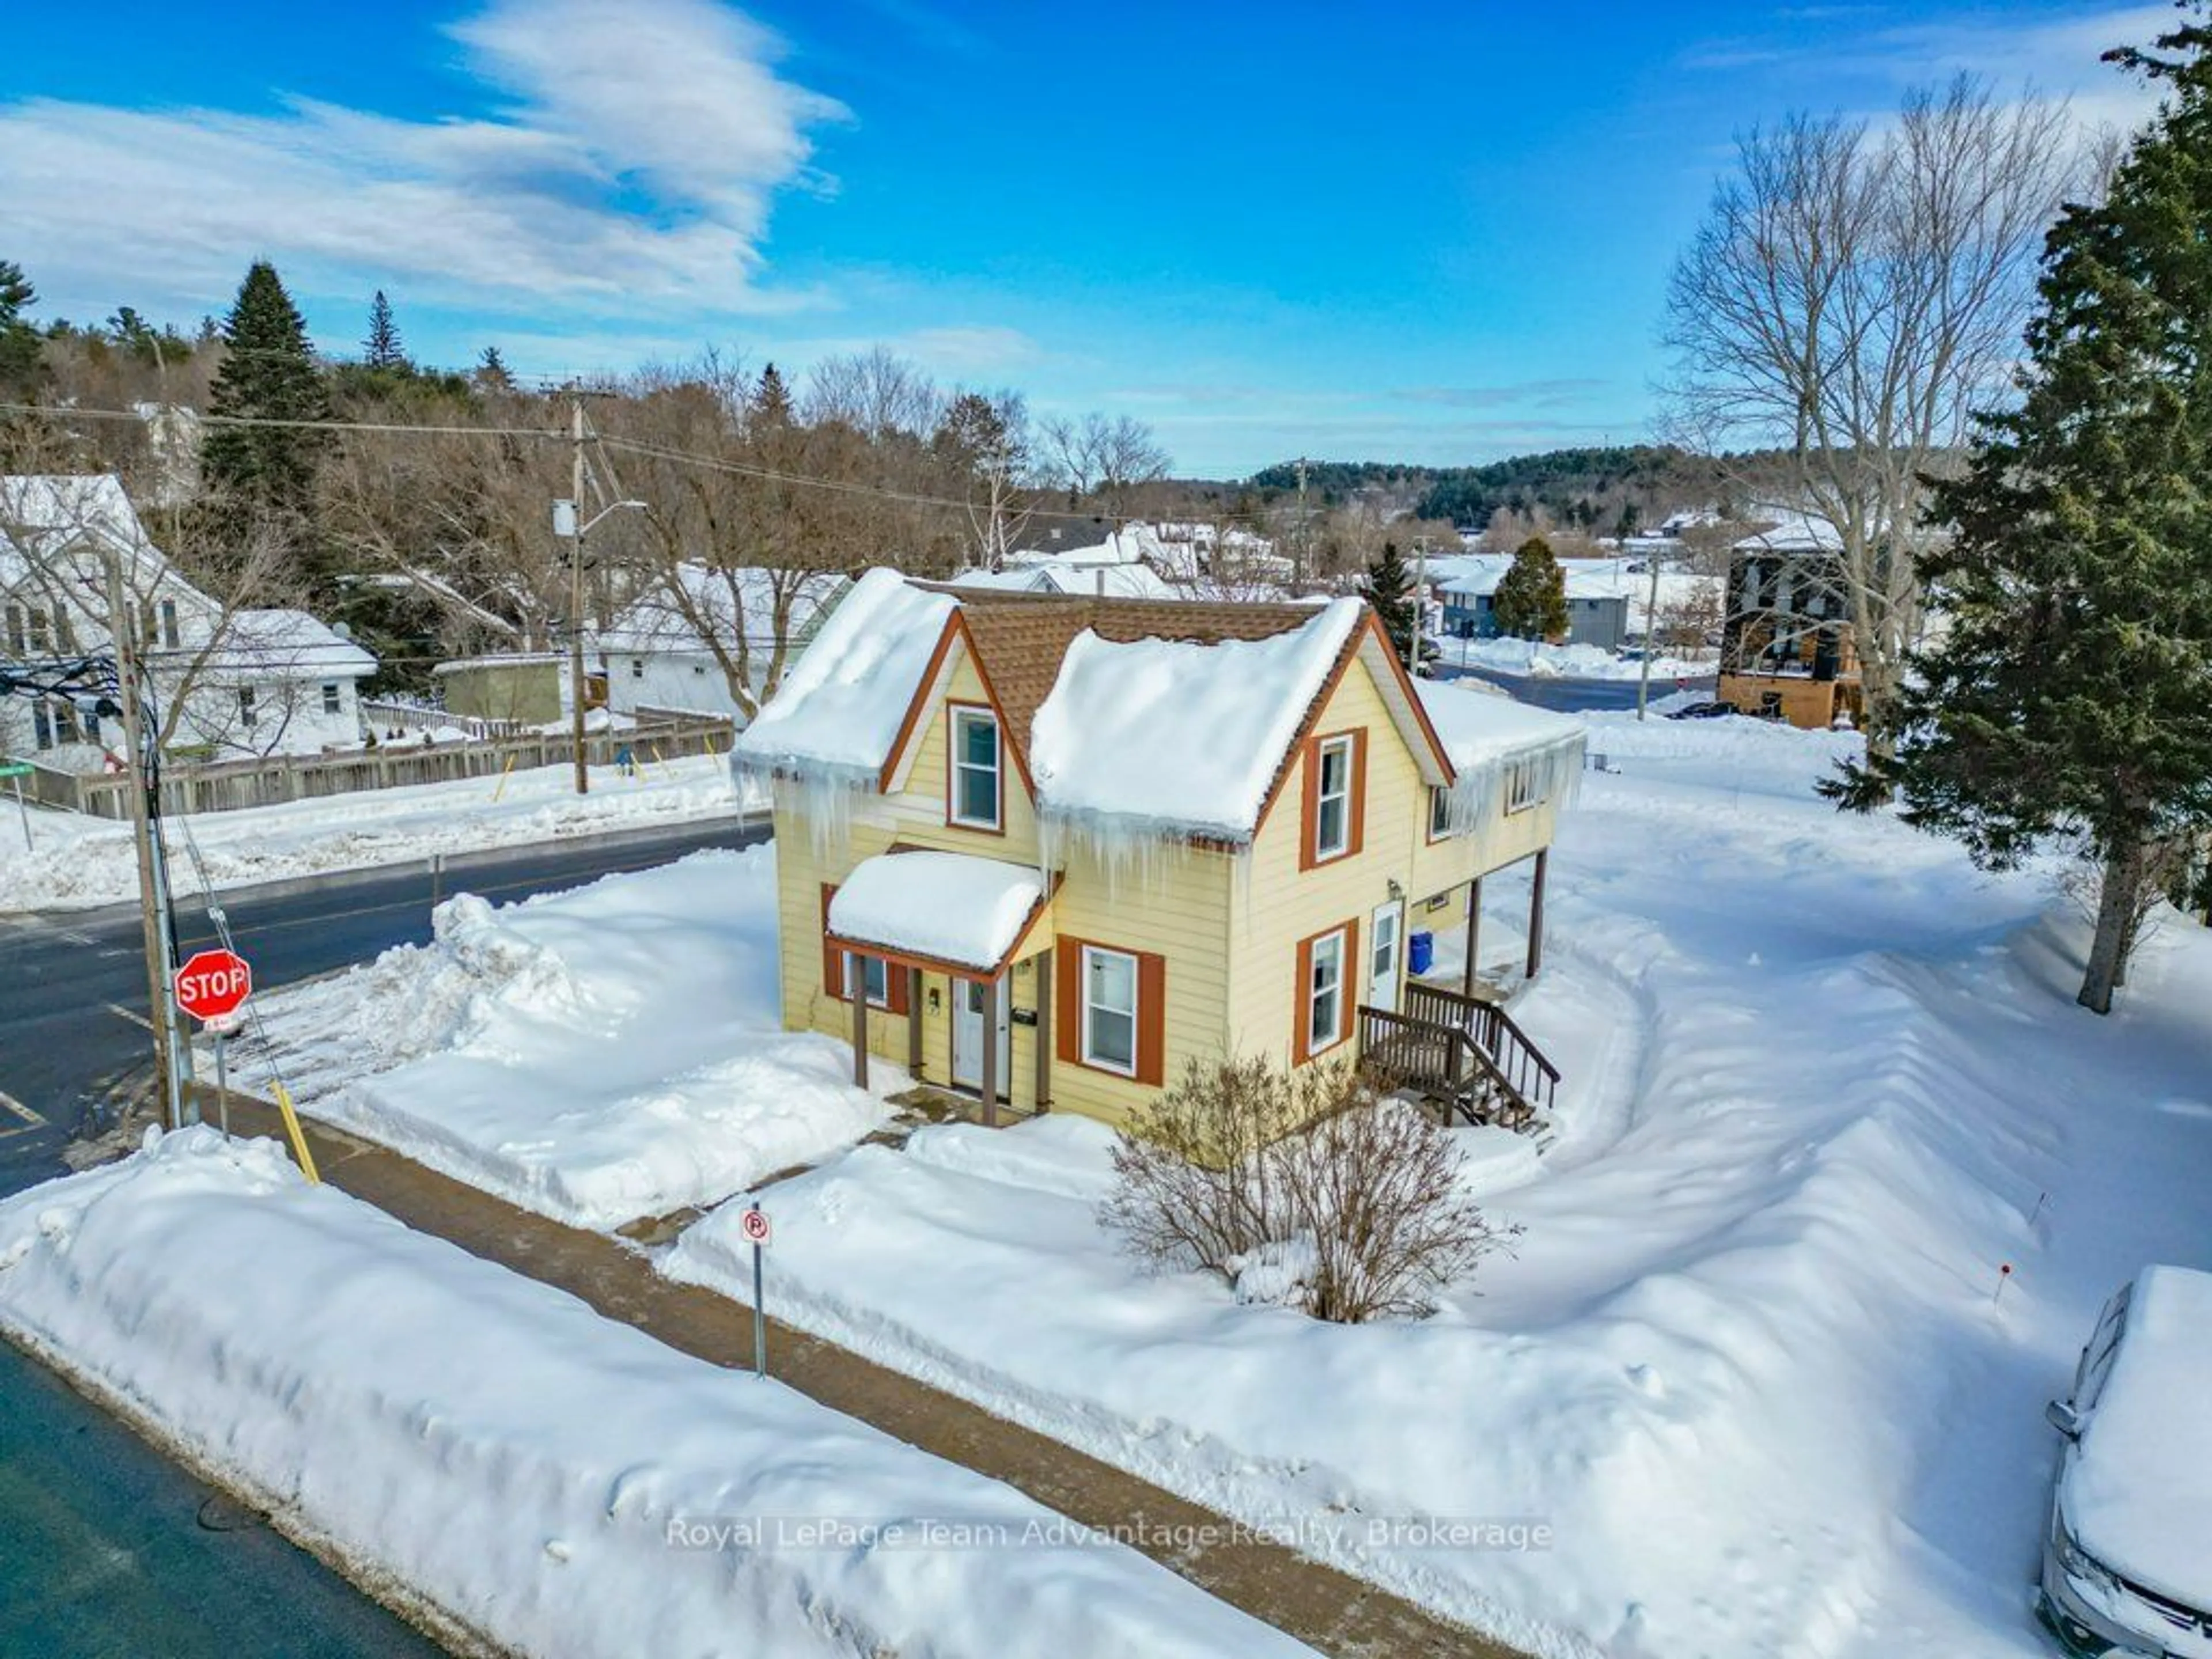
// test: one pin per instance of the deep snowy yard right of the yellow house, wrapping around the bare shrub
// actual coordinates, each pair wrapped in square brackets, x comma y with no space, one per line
[1749,1368]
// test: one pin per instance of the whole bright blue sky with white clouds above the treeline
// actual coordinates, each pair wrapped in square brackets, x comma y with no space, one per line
[1401,231]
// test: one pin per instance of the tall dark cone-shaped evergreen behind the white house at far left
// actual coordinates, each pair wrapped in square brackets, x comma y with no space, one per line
[269,375]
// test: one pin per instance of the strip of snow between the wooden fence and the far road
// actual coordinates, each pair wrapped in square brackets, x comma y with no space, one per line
[76,862]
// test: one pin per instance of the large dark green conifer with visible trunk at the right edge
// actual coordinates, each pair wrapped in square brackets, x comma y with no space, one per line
[2069,693]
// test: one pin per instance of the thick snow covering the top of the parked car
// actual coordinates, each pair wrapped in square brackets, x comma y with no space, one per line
[2136,1496]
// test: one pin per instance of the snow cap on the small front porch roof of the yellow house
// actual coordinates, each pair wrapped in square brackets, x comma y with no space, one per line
[946,906]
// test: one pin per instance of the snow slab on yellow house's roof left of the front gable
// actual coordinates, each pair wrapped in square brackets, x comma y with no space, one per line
[844,702]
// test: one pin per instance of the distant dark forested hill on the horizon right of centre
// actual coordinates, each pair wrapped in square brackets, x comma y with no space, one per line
[1589,488]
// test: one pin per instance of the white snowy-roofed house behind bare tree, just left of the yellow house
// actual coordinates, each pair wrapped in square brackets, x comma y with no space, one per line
[658,654]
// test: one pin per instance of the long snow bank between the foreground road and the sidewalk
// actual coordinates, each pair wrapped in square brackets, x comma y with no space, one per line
[532,1472]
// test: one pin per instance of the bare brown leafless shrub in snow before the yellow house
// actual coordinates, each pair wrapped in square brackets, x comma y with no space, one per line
[1308,1189]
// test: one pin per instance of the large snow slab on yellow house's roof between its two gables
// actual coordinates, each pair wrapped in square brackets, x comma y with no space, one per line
[1096,740]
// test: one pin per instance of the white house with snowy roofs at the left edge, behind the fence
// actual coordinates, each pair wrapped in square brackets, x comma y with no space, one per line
[242,682]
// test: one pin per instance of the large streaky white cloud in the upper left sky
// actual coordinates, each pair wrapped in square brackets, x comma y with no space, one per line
[632,165]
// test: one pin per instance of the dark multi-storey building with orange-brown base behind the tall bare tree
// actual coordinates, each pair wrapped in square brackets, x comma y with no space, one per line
[1786,640]
